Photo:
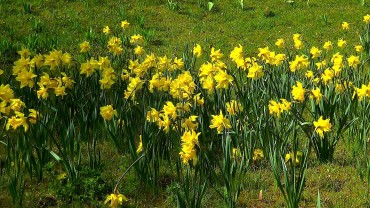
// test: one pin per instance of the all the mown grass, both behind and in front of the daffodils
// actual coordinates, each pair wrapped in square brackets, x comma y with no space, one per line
[43,25]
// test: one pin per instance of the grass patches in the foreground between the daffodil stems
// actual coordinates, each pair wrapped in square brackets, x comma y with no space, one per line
[338,182]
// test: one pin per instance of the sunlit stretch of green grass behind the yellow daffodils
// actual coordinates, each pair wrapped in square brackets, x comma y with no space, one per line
[224,27]
